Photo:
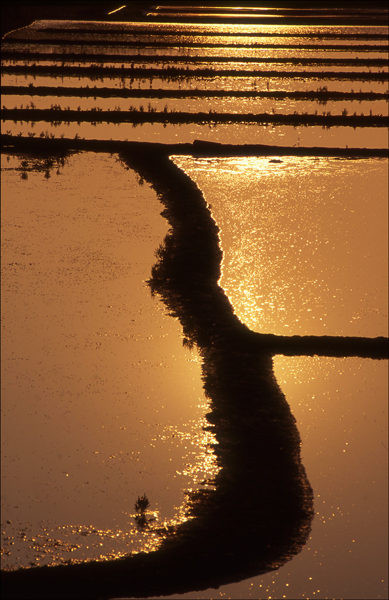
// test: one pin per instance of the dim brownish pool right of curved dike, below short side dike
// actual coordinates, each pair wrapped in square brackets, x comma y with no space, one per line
[341,411]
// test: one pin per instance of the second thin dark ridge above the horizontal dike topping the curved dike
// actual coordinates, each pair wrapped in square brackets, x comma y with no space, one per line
[97,92]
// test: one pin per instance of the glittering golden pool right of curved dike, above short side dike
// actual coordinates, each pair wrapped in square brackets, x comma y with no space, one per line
[304,253]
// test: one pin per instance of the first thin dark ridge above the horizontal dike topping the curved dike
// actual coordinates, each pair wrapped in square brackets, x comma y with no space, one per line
[107,116]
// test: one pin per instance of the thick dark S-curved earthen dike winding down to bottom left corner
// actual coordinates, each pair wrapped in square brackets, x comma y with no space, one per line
[257,513]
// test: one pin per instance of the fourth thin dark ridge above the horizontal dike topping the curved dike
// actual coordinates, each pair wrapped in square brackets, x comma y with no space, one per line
[147,58]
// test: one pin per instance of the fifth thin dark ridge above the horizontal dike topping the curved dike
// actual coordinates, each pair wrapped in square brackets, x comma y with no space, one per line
[20,39]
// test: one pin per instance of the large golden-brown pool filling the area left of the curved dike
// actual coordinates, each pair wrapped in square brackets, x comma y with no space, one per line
[100,401]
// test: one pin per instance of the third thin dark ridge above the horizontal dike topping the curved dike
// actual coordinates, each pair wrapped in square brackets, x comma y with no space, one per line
[171,72]
